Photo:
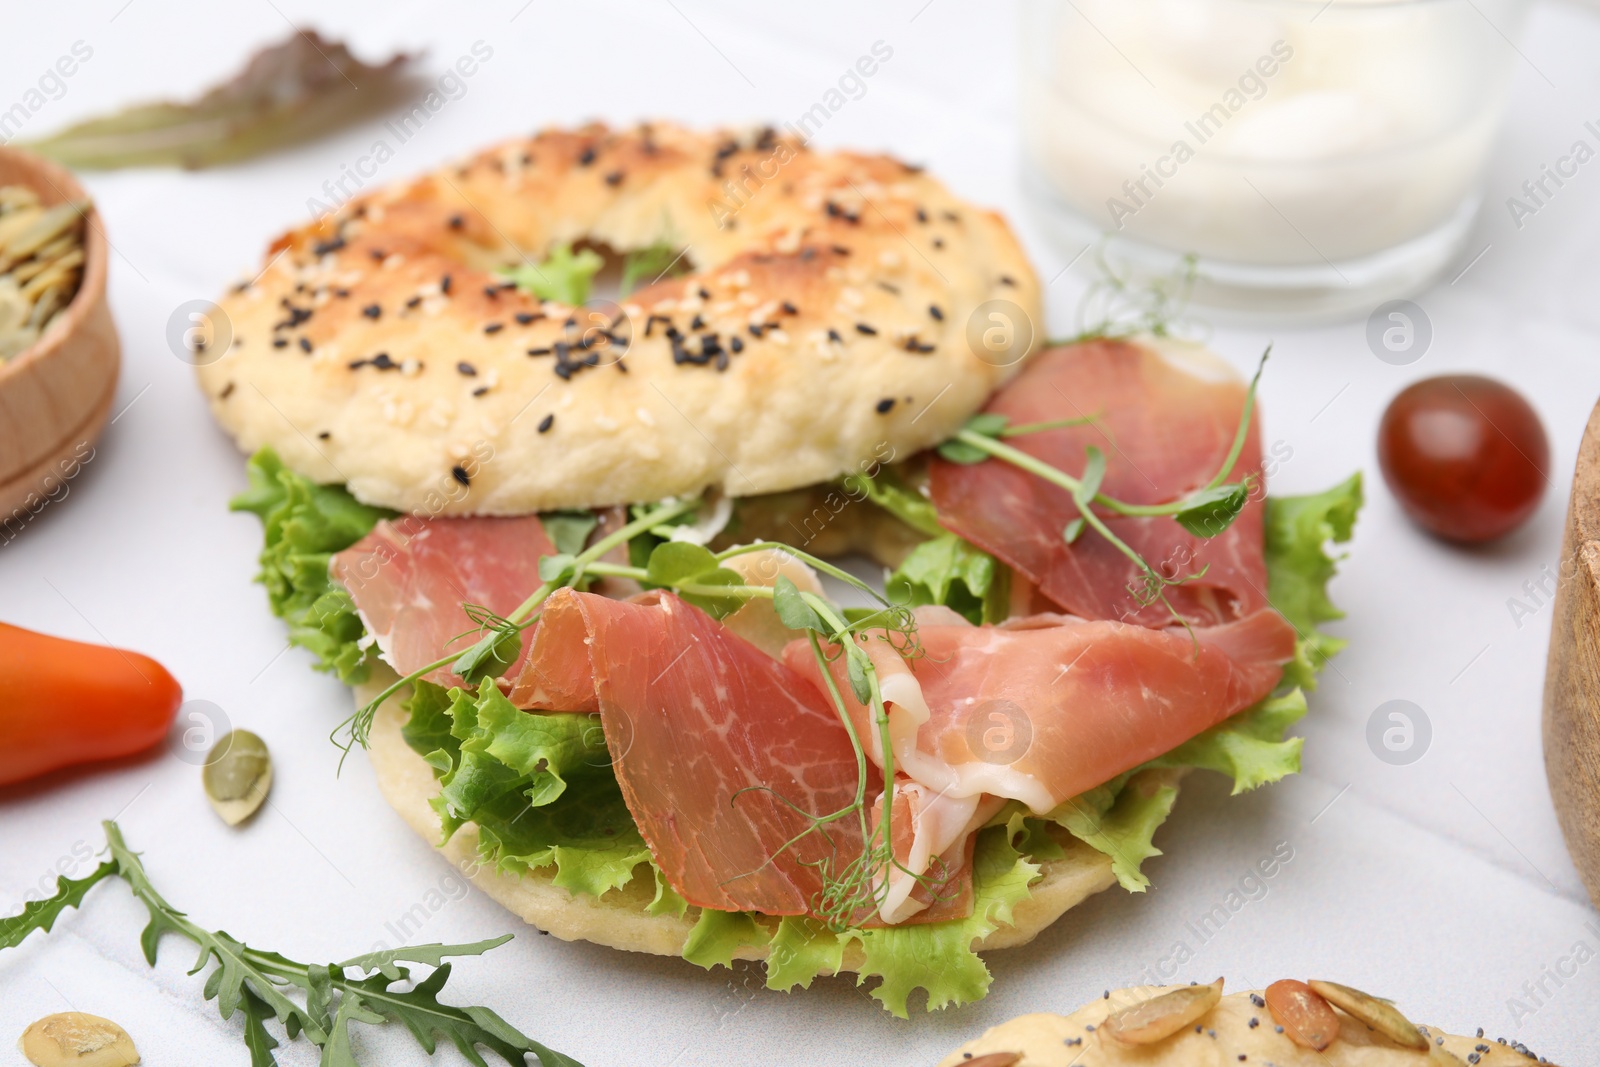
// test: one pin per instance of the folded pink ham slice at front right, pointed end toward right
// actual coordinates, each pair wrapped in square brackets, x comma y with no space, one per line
[1046,708]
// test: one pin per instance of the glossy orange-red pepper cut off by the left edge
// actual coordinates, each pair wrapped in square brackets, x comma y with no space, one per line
[65,703]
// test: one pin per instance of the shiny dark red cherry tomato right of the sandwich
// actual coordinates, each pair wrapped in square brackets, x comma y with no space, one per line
[1465,455]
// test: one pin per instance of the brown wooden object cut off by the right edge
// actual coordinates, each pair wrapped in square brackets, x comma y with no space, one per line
[1572,681]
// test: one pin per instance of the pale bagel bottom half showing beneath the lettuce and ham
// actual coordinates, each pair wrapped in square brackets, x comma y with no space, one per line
[620,919]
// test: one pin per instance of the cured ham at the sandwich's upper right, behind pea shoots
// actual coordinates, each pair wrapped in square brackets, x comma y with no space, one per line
[1166,422]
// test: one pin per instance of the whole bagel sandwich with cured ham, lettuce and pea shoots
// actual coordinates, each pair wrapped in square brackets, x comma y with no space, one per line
[577,554]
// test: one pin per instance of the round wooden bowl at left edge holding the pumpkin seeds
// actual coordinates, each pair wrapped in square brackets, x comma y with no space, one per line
[57,394]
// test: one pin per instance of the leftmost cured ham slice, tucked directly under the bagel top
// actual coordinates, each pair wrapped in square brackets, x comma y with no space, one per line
[410,578]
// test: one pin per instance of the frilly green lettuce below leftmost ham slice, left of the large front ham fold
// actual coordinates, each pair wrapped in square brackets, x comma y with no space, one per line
[538,786]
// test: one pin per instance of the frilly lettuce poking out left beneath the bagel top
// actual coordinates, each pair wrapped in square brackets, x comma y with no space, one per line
[305,526]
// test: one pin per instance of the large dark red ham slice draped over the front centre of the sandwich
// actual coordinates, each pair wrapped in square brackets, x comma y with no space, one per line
[714,743]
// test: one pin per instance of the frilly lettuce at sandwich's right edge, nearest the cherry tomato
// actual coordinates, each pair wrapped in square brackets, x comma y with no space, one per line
[1300,567]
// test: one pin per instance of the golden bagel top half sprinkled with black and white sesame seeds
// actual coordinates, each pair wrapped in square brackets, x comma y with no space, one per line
[830,321]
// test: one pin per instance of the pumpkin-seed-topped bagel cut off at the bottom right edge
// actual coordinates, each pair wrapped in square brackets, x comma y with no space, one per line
[1225,1039]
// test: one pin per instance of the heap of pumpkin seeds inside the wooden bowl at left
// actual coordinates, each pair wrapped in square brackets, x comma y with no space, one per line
[41,265]
